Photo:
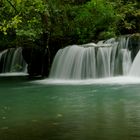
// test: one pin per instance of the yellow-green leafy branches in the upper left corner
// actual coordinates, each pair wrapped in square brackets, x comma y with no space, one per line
[25,17]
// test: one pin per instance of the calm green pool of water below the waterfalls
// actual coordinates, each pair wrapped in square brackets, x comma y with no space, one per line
[30,111]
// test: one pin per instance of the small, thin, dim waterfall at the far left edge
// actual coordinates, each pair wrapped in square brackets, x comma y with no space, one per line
[11,60]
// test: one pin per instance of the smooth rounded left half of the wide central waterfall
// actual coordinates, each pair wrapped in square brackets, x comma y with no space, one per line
[74,63]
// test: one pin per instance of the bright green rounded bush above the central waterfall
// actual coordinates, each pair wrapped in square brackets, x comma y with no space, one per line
[95,18]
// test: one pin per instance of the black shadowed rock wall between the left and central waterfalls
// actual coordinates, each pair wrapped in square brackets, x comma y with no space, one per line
[39,58]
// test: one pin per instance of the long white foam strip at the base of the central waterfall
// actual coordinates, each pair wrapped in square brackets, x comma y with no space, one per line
[113,80]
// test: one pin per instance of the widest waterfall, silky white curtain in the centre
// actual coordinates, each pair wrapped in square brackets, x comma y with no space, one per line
[89,61]
